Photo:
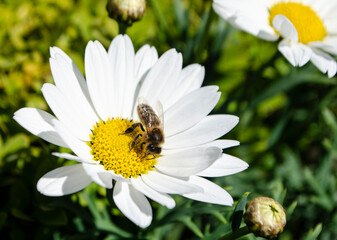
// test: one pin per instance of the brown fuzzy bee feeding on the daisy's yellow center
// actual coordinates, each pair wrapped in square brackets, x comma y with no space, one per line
[152,126]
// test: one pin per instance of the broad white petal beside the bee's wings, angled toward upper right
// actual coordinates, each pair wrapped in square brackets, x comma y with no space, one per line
[190,109]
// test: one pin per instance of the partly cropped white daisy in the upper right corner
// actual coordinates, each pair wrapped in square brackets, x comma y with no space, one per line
[308,28]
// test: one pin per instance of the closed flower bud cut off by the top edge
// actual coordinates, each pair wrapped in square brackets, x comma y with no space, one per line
[126,11]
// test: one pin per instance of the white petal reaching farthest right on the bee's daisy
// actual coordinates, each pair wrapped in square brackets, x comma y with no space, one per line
[226,165]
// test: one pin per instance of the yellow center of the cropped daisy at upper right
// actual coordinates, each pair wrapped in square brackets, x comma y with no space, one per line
[309,26]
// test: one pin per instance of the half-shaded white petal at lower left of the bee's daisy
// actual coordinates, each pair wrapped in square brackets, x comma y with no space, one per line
[63,181]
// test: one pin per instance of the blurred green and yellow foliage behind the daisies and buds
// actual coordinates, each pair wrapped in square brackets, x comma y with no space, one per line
[287,128]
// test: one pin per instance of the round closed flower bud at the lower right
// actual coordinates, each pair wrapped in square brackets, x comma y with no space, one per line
[265,217]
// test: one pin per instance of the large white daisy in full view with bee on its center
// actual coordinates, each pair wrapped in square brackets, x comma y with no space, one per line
[92,116]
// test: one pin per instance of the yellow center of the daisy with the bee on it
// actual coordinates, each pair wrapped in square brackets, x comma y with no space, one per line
[112,148]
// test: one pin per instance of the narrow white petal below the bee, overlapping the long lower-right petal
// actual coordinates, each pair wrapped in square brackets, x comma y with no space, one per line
[166,184]
